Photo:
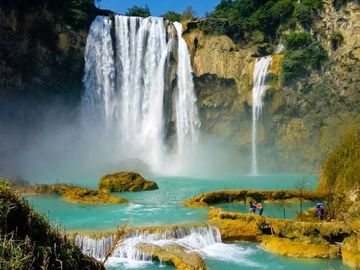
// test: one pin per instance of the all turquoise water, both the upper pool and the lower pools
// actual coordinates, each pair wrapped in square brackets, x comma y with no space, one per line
[163,206]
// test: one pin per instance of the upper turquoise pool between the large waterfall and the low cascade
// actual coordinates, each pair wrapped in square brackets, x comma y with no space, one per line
[158,207]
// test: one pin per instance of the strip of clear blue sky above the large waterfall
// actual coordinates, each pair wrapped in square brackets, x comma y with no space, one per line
[159,7]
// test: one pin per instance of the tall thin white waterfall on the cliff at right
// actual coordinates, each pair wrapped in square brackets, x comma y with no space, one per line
[258,91]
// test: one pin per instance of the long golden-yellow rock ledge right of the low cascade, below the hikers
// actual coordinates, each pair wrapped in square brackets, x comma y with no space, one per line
[284,237]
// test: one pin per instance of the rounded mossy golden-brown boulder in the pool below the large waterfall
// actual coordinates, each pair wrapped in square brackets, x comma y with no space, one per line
[125,181]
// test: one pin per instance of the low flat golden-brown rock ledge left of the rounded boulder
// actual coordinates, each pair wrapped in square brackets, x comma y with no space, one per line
[76,194]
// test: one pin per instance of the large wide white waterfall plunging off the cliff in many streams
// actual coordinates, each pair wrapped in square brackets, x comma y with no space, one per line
[129,87]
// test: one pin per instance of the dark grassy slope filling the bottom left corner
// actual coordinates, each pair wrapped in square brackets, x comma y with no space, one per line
[29,242]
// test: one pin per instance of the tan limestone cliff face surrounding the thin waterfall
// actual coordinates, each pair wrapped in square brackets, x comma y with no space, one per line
[298,118]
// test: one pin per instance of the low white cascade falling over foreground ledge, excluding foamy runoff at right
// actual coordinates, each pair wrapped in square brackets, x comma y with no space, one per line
[196,239]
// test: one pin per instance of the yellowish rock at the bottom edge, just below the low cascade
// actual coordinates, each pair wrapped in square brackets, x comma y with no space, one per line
[174,254]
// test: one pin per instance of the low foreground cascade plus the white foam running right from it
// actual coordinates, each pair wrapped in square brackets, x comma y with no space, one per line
[204,240]
